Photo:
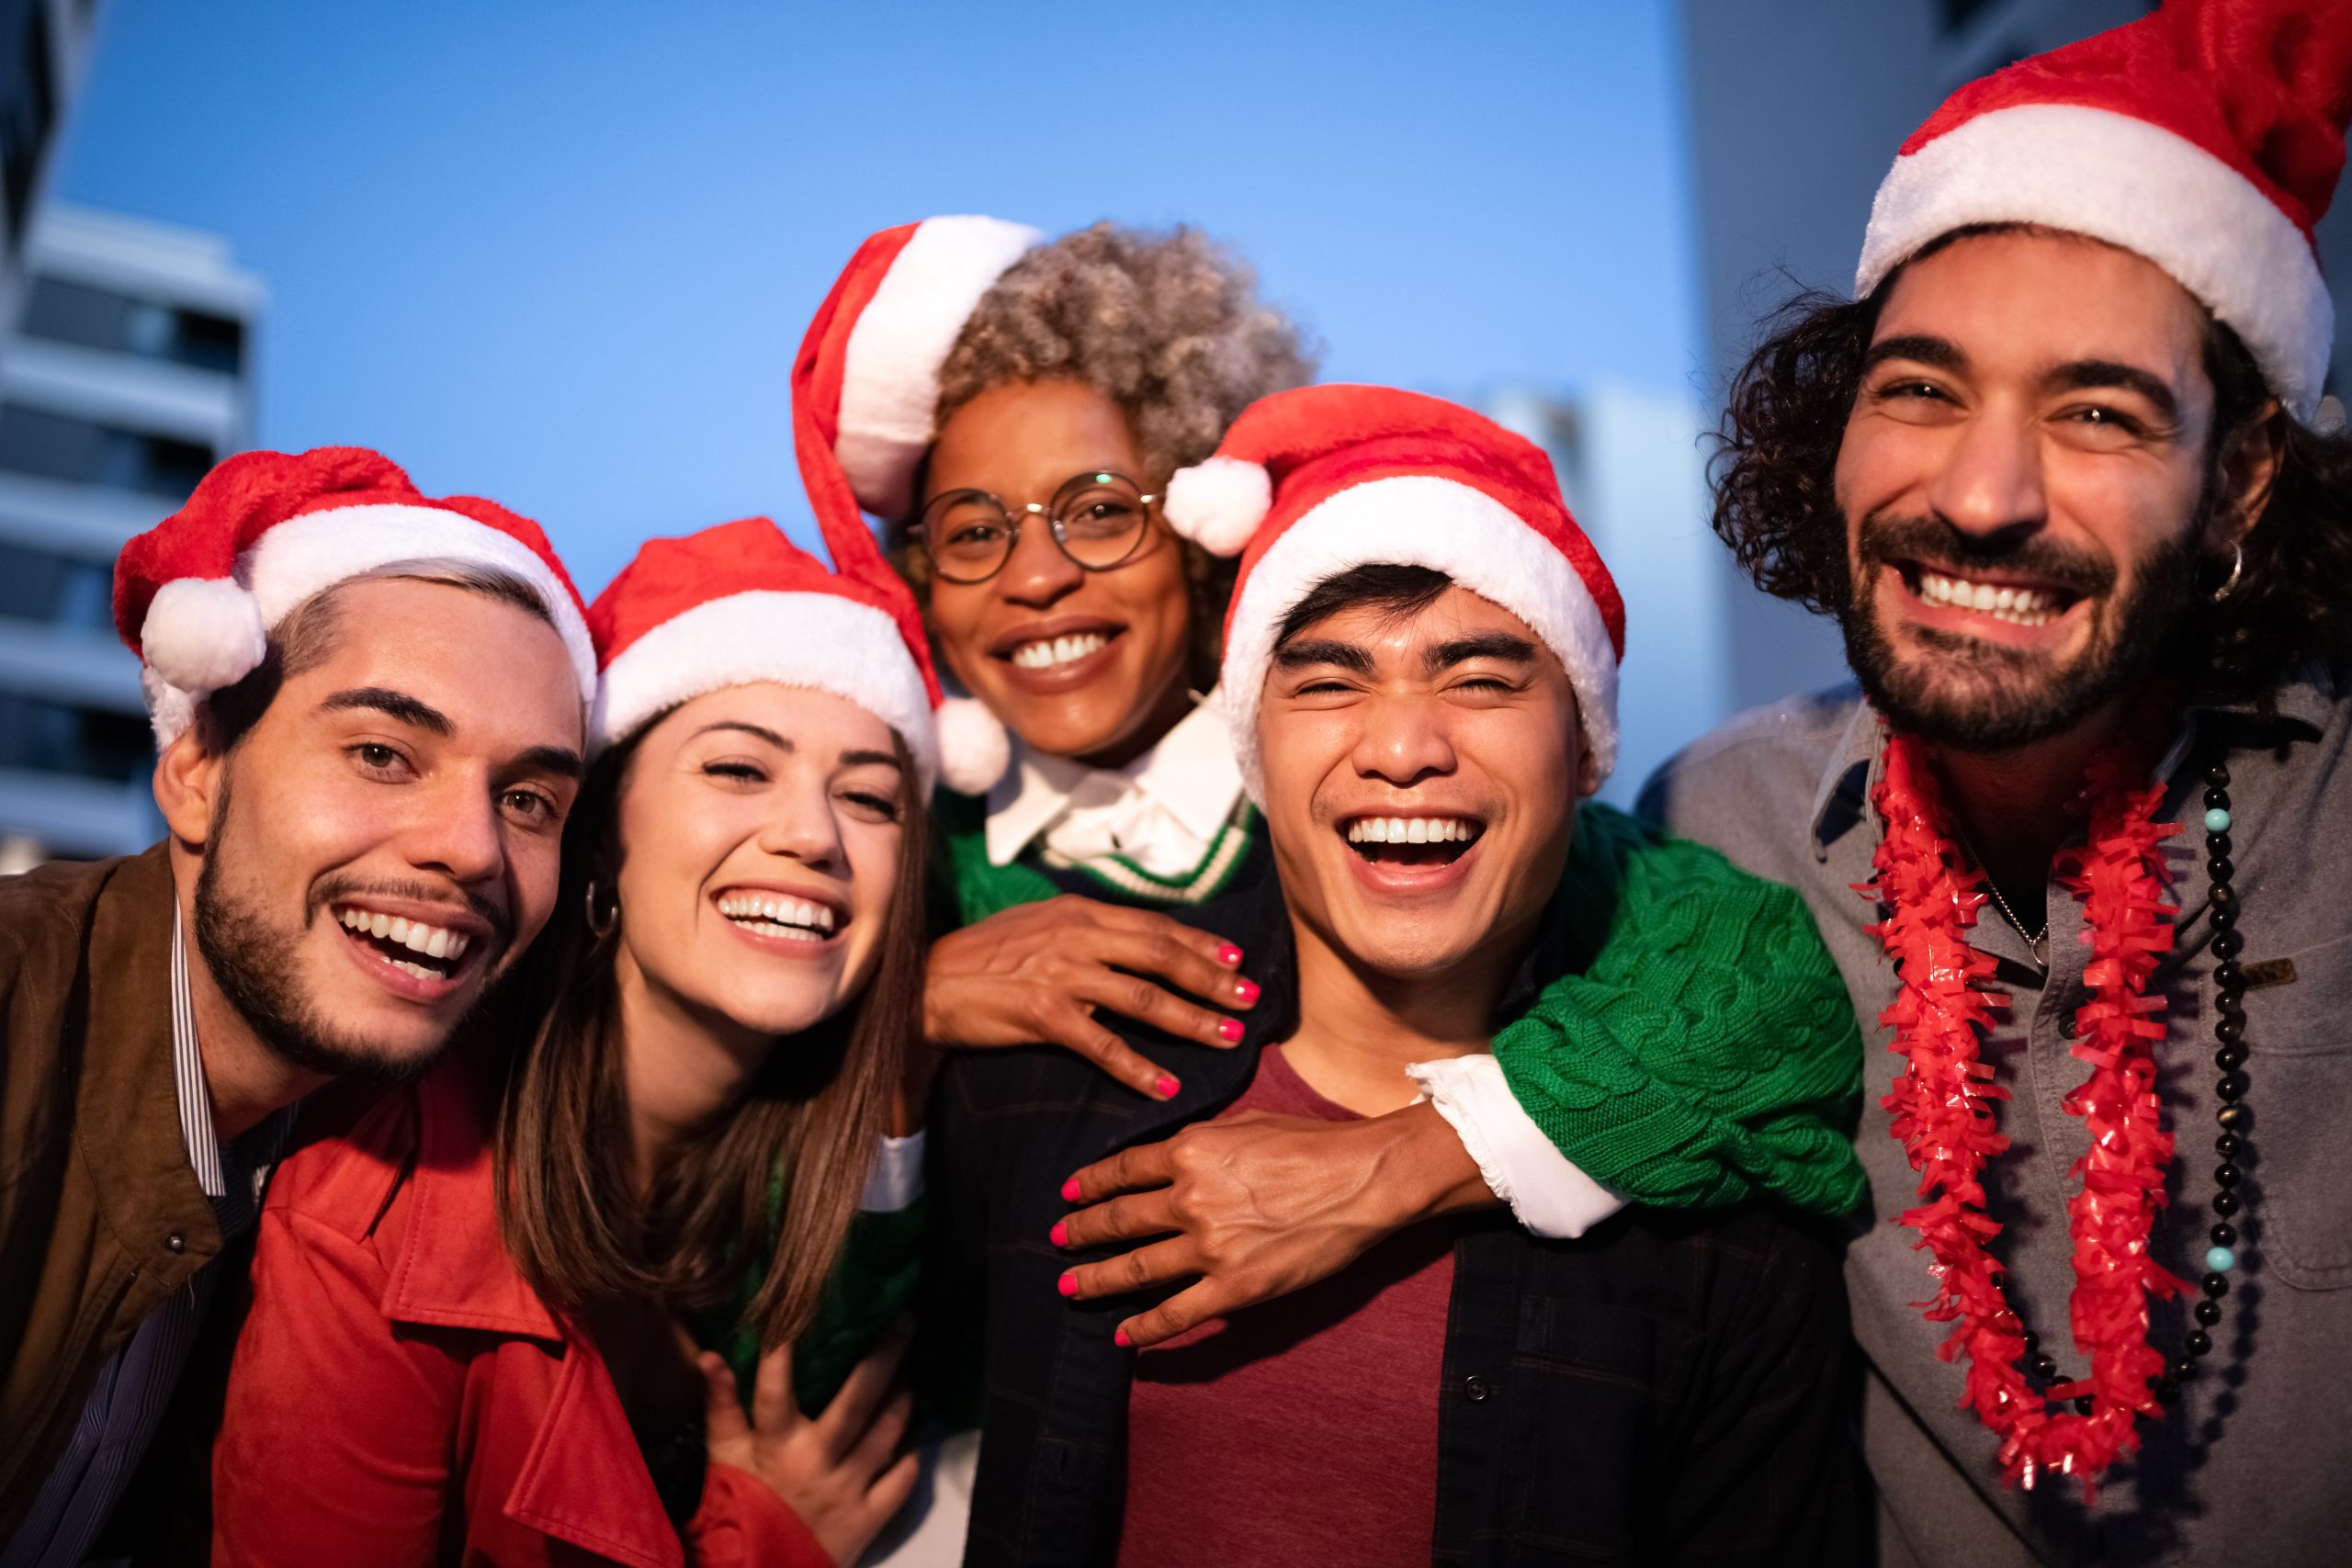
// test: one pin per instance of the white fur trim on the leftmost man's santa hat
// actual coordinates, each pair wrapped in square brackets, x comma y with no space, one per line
[307,556]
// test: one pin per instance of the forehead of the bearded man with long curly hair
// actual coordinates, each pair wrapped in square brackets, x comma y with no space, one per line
[2024,300]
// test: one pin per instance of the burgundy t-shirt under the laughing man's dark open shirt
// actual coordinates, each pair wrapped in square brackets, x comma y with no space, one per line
[1304,1430]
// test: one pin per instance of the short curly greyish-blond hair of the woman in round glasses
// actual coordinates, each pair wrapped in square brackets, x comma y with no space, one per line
[1170,328]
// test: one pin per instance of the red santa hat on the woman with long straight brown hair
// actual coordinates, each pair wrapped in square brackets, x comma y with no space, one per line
[740,605]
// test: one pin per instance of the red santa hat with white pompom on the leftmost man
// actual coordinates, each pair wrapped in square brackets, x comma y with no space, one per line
[201,591]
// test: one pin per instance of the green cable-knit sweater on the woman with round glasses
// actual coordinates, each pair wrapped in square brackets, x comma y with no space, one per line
[1706,1050]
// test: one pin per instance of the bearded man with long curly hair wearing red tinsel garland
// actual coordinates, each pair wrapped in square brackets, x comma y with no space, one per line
[2059,474]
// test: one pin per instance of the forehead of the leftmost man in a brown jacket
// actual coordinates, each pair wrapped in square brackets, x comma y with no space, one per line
[479,659]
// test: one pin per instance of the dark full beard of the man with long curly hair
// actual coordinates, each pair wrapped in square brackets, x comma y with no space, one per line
[1984,697]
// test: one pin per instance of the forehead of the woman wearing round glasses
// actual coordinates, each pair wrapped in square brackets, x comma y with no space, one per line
[1024,438]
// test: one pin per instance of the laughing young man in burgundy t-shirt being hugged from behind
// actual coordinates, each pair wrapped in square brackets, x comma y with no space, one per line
[1419,678]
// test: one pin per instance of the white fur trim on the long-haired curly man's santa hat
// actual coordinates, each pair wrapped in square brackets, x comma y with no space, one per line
[2132,185]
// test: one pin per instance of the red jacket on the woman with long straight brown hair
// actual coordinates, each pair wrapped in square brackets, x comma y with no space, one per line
[401,1395]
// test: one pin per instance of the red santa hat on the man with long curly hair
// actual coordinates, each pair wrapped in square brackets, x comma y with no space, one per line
[2205,138]
